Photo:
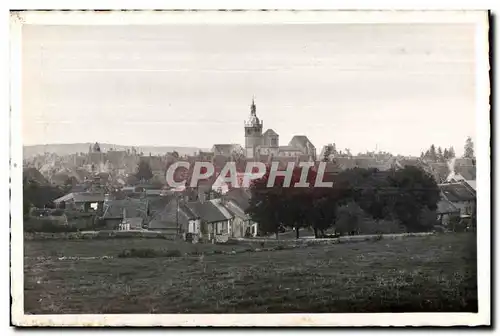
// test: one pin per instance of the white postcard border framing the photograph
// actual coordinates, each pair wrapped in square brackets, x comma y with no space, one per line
[255,17]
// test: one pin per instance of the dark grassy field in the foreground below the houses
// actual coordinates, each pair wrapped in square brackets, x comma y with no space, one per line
[415,274]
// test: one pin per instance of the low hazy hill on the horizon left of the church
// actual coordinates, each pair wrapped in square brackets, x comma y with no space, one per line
[66,149]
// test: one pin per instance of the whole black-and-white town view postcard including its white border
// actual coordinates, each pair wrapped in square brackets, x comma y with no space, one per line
[274,168]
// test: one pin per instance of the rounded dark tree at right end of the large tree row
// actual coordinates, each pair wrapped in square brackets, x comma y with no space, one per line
[411,191]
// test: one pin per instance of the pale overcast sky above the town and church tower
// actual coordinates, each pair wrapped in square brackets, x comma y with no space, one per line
[391,87]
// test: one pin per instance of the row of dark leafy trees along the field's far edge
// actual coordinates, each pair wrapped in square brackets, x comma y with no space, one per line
[408,195]
